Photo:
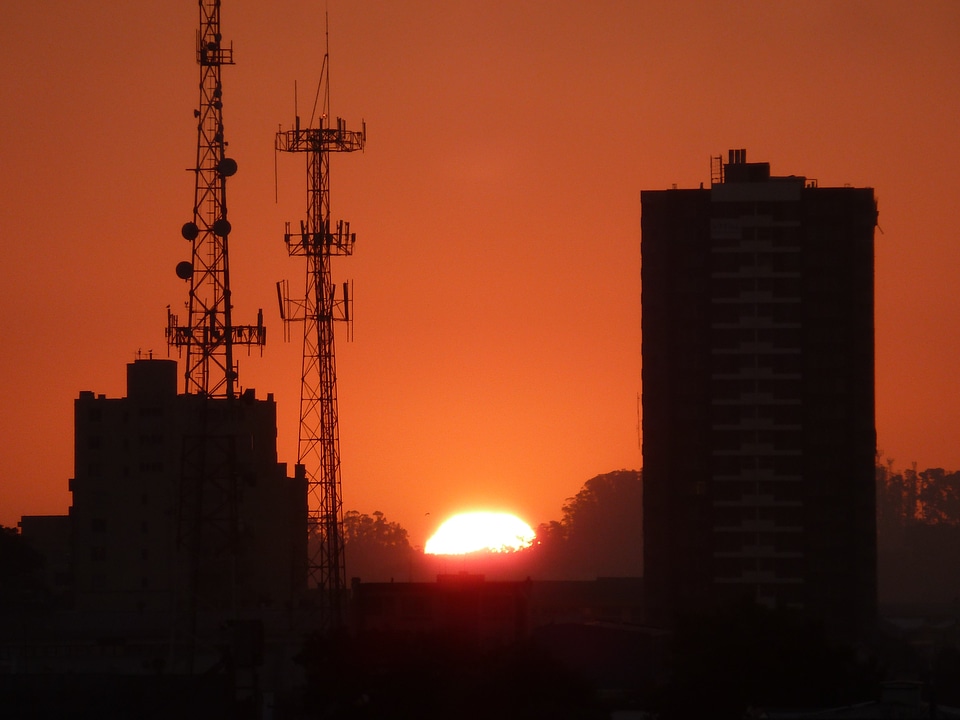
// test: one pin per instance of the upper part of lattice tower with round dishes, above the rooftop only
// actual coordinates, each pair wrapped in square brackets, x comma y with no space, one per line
[210,334]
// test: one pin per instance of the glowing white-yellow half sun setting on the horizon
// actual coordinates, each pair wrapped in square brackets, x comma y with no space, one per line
[469,532]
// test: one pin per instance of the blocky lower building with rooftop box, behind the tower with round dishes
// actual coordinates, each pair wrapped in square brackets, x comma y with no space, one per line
[129,519]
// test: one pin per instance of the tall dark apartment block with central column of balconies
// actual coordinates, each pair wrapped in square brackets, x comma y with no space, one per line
[759,441]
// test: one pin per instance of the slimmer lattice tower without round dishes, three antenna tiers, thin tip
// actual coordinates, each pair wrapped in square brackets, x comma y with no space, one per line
[319,441]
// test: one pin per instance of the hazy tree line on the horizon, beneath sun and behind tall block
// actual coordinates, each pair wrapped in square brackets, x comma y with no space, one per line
[600,533]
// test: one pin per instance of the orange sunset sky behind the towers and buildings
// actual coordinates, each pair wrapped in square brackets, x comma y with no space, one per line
[496,363]
